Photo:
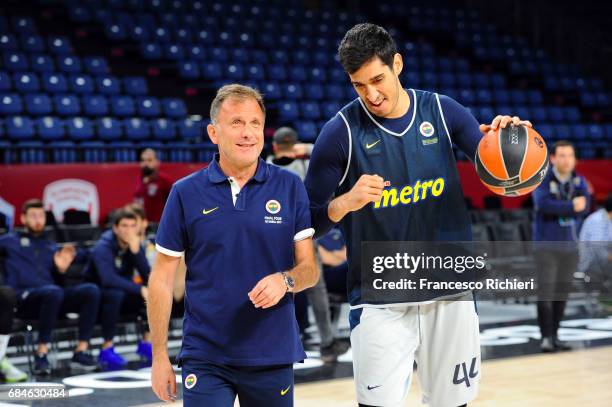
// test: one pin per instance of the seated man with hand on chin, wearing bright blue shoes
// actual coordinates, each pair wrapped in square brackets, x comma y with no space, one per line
[115,259]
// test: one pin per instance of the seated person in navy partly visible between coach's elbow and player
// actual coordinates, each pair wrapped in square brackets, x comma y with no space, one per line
[332,252]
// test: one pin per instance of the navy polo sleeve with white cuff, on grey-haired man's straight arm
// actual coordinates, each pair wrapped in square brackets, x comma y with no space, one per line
[171,237]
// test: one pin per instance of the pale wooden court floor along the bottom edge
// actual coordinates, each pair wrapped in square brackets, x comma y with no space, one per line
[578,378]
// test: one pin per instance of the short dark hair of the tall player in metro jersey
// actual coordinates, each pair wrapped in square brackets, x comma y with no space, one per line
[364,42]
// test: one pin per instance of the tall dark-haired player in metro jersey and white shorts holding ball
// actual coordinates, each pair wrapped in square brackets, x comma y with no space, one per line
[398,137]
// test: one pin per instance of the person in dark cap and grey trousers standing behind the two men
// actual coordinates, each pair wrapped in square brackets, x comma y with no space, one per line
[289,154]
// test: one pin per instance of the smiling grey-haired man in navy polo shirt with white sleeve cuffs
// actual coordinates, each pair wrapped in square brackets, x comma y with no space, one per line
[244,228]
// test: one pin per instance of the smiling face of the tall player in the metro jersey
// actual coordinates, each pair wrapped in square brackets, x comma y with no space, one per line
[378,86]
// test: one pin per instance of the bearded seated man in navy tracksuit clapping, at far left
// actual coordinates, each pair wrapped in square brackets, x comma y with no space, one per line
[33,265]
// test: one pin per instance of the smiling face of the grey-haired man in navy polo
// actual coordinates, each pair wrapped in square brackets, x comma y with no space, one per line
[238,131]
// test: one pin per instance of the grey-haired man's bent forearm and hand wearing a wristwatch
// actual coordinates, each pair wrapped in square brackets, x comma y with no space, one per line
[271,289]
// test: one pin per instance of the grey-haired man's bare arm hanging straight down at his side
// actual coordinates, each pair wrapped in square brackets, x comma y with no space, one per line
[159,306]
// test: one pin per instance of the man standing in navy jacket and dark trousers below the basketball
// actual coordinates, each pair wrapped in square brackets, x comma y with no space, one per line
[560,203]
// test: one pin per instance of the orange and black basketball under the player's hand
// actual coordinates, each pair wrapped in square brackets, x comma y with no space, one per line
[512,161]
